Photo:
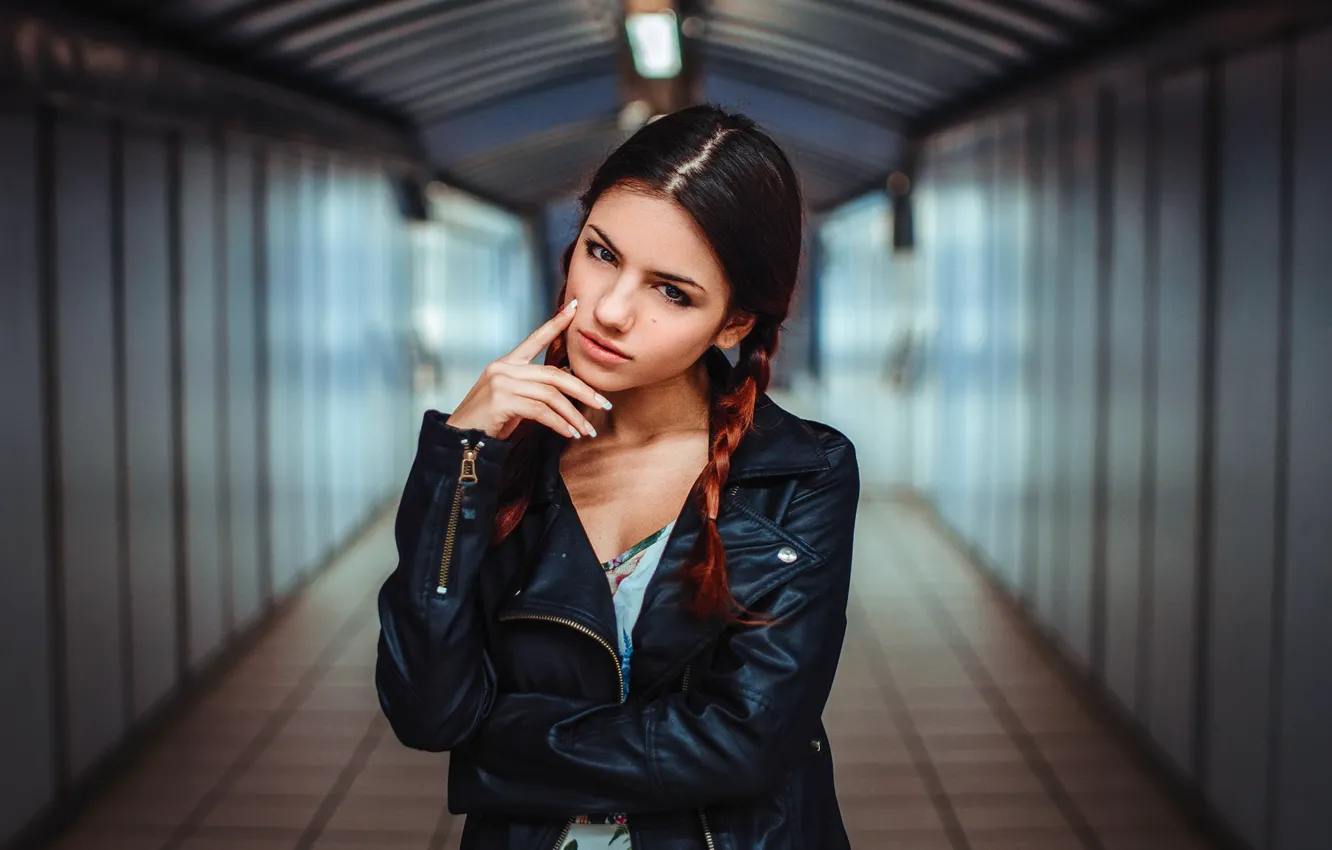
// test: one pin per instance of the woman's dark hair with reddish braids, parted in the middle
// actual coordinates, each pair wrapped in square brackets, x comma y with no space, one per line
[743,193]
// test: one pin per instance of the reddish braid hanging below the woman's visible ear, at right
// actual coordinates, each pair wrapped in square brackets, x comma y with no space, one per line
[732,415]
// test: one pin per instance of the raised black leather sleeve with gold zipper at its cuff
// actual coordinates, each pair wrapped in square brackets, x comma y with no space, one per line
[432,673]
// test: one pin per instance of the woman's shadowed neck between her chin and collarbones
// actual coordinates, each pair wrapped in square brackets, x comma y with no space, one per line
[644,414]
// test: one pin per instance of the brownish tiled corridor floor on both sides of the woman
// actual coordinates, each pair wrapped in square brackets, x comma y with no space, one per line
[950,732]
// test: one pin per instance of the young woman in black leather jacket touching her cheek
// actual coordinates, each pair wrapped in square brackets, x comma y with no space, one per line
[623,579]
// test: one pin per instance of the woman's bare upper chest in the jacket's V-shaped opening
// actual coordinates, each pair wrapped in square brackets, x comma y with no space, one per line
[623,496]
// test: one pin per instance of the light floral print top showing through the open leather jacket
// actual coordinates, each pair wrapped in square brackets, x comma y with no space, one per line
[628,576]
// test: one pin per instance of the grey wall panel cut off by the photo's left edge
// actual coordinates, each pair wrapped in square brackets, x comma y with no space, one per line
[27,725]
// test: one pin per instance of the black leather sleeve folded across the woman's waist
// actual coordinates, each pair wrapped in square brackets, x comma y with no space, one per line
[736,733]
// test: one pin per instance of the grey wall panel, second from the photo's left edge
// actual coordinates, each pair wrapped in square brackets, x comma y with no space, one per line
[90,480]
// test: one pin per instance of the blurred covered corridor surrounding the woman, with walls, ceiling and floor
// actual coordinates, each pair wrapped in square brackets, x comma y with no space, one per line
[1066,290]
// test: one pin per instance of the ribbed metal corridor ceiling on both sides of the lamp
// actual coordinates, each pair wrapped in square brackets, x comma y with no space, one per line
[517,99]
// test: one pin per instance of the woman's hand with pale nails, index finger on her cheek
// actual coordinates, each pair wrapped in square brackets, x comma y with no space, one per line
[513,388]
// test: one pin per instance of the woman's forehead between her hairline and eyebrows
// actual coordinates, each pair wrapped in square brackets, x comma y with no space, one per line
[656,234]
